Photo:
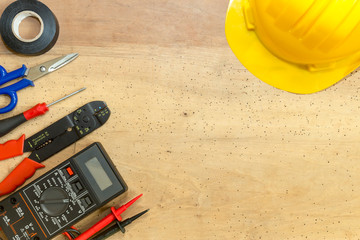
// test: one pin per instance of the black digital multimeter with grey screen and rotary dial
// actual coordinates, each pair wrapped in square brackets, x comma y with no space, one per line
[62,196]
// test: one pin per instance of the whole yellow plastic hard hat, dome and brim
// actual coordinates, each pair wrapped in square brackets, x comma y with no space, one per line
[301,46]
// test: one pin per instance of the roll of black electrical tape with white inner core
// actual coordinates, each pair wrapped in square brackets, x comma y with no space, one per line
[11,19]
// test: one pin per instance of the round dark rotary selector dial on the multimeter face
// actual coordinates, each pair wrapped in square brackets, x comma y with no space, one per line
[54,201]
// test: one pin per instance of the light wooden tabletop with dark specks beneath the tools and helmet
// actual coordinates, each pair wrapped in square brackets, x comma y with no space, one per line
[217,153]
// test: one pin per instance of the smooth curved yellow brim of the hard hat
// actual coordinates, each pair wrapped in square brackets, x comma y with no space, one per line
[275,71]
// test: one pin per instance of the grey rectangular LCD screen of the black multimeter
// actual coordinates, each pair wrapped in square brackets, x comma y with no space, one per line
[99,174]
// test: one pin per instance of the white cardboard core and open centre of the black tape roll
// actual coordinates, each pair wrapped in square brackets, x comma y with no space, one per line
[27,26]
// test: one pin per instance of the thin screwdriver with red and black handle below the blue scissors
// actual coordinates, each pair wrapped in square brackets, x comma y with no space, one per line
[9,124]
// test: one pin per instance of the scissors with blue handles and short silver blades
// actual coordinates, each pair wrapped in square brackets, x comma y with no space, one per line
[30,75]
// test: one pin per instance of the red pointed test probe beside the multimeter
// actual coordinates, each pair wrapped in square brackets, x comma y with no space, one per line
[115,215]
